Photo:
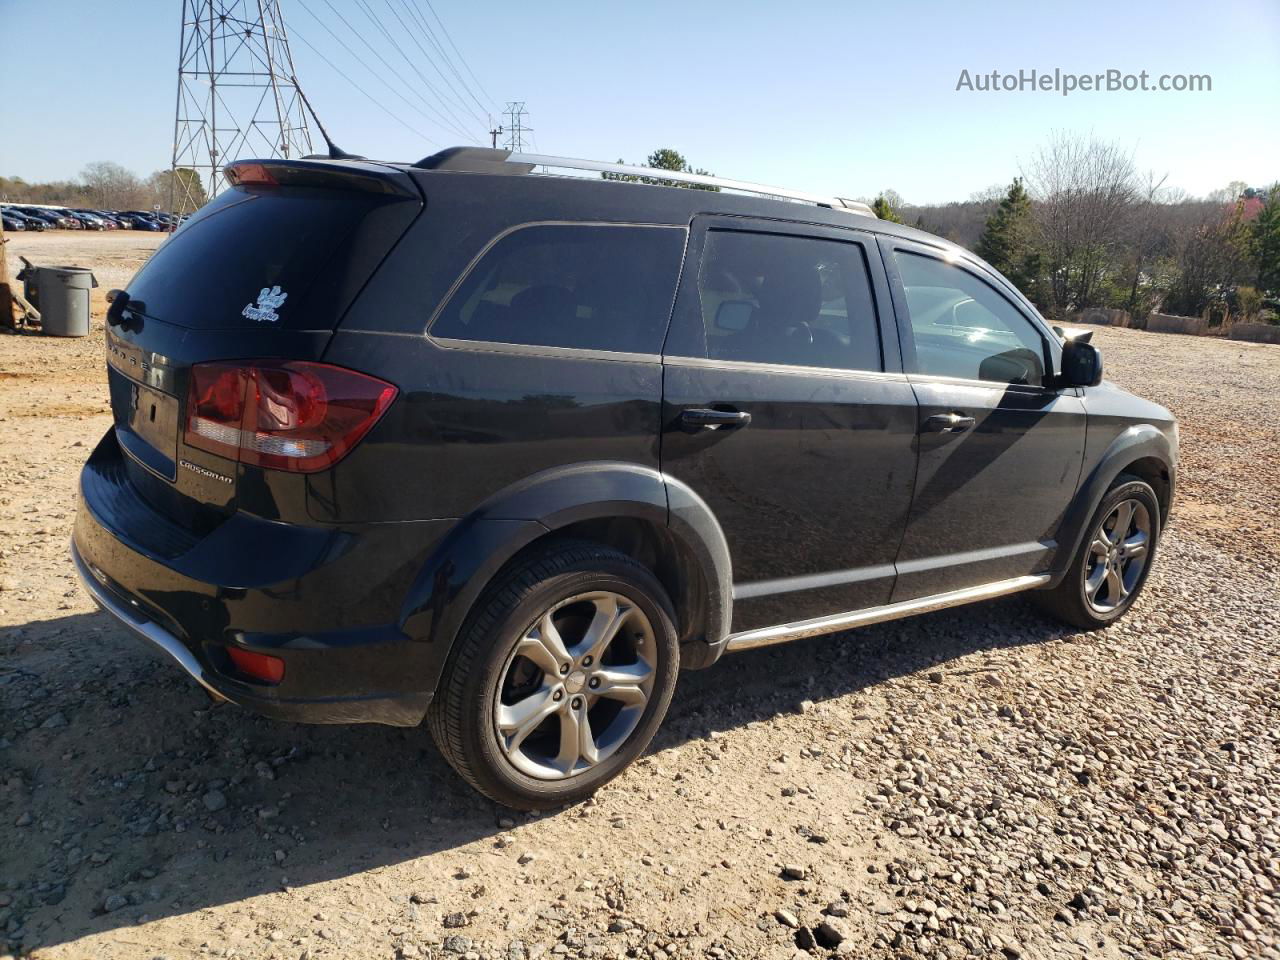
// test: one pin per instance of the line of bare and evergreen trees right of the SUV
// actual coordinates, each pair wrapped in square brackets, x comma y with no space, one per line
[1084,228]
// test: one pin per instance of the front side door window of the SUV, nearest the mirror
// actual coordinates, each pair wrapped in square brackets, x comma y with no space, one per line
[964,330]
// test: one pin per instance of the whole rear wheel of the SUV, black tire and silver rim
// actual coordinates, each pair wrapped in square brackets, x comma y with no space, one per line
[560,679]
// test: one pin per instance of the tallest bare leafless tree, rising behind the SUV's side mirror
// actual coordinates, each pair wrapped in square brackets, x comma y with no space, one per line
[1085,191]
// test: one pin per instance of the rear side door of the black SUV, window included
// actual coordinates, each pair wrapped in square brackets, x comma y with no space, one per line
[785,409]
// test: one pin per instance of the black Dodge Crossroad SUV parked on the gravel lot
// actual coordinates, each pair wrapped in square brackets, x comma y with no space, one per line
[465,442]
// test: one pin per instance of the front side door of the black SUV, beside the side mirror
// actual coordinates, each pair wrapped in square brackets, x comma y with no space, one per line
[1000,445]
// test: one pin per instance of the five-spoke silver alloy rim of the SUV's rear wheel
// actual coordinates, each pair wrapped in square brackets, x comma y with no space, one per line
[575,687]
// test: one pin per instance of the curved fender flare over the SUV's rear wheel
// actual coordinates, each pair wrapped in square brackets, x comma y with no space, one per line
[464,564]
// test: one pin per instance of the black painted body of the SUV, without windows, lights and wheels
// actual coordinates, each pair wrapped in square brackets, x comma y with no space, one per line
[362,577]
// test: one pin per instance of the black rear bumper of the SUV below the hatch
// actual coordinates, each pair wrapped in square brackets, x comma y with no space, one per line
[323,600]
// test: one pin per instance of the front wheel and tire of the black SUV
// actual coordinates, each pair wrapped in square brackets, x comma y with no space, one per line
[1112,565]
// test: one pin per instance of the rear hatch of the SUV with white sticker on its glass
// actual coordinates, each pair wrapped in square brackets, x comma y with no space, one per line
[263,273]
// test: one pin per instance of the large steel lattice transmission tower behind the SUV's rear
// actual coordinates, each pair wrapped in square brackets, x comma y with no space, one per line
[237,95]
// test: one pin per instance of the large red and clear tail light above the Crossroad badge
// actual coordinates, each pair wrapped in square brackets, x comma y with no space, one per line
[286,415]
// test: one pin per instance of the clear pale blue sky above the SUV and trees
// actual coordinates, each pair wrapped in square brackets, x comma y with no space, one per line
[836,98]
